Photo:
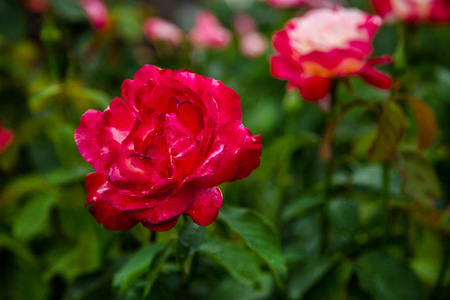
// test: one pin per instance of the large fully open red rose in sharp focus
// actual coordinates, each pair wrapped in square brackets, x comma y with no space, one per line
[163,149]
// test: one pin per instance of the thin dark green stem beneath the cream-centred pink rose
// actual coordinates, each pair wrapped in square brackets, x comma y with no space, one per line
[329,170]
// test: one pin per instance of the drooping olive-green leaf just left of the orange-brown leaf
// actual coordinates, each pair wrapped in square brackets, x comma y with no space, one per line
[391,127]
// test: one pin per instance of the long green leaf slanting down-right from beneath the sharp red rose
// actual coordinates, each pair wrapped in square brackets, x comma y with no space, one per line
[259,235]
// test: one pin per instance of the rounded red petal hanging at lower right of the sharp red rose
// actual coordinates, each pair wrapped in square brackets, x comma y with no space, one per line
[205,207]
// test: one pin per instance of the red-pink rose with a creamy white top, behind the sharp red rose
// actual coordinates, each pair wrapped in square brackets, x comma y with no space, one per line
[324,44]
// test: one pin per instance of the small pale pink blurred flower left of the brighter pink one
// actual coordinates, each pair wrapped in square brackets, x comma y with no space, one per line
[159,29]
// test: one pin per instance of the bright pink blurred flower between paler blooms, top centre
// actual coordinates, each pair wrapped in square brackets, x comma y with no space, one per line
[208,33]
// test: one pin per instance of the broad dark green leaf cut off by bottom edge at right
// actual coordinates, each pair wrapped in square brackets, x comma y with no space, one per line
[387,278]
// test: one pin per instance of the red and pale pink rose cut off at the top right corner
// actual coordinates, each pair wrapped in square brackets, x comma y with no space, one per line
[413,10]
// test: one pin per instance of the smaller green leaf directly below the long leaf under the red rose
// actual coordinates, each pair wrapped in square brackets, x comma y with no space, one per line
[234,259]
